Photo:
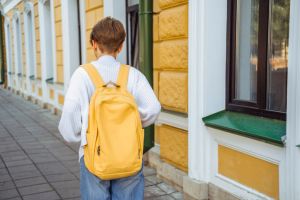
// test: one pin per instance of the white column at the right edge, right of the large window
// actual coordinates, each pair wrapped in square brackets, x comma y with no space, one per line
[293,107]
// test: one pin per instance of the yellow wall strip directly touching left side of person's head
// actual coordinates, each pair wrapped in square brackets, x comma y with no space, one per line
[93,13]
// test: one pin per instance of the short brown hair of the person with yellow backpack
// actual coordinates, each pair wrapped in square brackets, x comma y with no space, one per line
[109,34]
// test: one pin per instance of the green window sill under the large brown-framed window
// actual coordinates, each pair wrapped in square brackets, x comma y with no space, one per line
[265,129]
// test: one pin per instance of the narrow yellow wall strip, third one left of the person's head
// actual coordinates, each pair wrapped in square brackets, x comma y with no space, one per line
[38,43]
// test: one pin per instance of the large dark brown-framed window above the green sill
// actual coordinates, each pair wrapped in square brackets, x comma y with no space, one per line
[257,57]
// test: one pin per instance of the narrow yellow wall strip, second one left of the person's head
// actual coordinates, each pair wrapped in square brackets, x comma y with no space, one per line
[59,45]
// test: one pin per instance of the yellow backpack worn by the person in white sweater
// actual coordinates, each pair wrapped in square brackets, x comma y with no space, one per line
[115,136]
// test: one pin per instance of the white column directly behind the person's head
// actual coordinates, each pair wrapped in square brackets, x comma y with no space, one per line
[117,10]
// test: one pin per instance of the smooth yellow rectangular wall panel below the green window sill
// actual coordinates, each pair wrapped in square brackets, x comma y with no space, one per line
[253,172]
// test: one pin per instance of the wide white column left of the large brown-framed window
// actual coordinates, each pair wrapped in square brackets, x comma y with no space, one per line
[207,66]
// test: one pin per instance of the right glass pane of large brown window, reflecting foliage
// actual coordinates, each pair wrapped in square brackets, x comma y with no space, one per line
[278,55]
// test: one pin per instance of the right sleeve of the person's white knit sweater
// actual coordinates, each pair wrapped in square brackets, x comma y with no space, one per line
[148,104]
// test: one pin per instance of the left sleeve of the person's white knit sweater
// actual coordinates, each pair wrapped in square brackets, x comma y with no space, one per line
[70,123]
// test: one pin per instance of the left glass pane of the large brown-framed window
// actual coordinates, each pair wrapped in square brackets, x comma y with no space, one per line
[246,50]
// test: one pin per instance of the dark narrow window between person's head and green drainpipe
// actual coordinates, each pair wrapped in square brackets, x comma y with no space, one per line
[132,32]
